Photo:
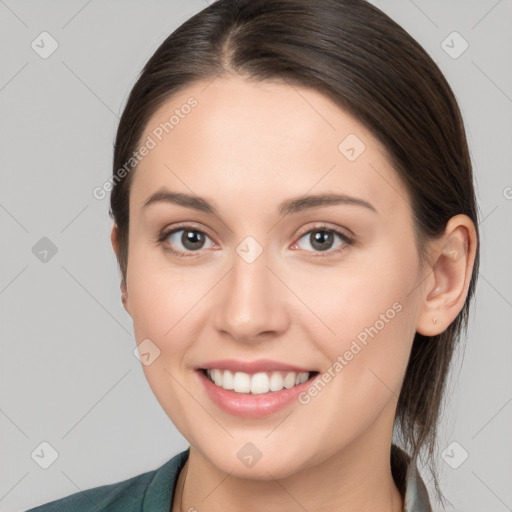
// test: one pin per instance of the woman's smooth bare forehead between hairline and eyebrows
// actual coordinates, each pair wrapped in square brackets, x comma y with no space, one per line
[262,137]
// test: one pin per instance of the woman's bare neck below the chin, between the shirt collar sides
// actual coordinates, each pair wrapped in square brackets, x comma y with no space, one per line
[356,478]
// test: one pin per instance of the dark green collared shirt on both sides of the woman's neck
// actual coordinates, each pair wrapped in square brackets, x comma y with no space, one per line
[154,491]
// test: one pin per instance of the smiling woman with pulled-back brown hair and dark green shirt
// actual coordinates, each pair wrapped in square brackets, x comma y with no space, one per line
[259,131]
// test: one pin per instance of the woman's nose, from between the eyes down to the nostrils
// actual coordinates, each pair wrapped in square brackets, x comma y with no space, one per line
[252,303]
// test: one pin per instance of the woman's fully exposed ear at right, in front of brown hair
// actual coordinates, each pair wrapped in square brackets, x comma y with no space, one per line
[450,273]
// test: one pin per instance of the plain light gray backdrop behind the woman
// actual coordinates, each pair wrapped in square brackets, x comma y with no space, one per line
[68,375]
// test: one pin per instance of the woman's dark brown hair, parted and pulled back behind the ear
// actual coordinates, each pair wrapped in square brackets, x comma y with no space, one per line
[373,69]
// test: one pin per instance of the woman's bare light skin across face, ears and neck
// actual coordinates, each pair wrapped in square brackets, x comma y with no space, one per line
[246,147]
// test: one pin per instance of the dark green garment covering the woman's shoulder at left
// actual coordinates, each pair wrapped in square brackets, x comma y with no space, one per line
[150,491]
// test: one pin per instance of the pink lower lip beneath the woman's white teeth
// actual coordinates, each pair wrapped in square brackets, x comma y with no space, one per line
[249,405]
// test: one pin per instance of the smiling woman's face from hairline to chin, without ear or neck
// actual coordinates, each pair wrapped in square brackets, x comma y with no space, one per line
[327,287]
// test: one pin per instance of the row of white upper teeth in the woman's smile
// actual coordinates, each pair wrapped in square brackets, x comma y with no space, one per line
[257,383]
